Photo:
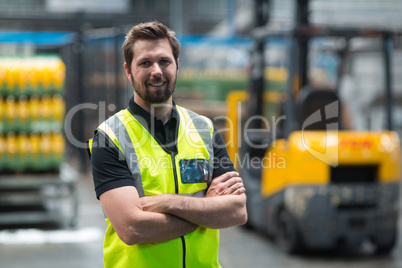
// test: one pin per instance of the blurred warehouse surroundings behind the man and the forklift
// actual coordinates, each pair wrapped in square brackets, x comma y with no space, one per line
[61,75]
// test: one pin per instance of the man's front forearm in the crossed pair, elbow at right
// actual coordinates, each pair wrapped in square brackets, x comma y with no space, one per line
[212,212]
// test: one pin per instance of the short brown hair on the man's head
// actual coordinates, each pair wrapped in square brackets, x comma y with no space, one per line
[149,31]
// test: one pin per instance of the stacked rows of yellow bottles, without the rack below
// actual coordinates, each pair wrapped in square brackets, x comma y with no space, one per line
[32,111]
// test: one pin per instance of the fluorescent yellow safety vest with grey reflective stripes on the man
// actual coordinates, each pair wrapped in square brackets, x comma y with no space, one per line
[155,172]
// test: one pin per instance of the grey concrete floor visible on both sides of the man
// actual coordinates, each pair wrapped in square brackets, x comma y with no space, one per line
[239,247]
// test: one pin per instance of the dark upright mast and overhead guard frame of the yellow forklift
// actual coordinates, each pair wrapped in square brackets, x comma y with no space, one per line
[298,61]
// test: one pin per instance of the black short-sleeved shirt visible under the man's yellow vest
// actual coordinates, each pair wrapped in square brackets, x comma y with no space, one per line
[109,168]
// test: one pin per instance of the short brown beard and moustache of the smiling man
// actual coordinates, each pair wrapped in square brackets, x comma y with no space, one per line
[151,96]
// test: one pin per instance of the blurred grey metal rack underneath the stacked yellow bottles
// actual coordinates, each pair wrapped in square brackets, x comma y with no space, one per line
[39,199]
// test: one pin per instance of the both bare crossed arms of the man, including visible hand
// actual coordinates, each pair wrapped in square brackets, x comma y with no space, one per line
[161,218]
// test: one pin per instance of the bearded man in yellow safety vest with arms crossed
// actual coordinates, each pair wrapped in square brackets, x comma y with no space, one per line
[156,170]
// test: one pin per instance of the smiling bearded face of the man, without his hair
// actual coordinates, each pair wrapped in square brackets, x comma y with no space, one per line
[153,72]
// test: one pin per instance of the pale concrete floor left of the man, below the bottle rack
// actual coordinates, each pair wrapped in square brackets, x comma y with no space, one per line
[81,248]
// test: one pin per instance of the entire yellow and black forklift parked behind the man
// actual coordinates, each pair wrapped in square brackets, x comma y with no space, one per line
[311,183]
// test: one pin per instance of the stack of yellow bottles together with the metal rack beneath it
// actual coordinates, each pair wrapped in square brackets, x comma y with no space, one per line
[36,187]
